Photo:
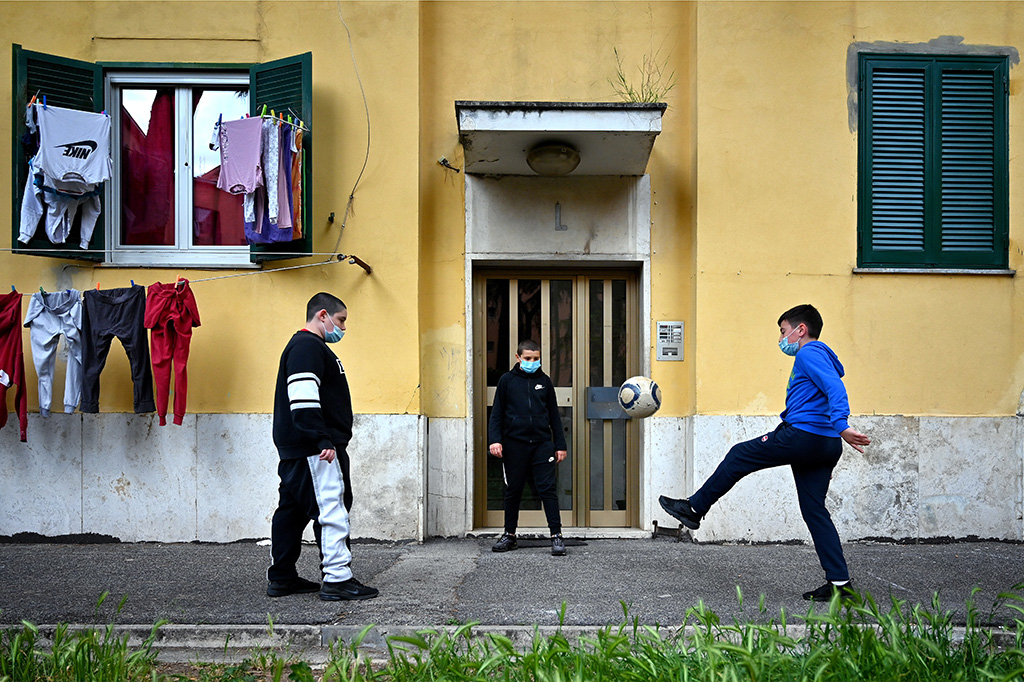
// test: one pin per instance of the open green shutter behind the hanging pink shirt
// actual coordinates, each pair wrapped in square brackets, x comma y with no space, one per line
[286,86]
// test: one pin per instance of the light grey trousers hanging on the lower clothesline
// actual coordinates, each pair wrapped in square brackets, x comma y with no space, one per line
[50,316]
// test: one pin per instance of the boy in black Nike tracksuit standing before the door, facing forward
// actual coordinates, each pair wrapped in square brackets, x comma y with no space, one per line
[526,433]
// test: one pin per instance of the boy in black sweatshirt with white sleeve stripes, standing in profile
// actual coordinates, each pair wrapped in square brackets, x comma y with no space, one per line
[313,424]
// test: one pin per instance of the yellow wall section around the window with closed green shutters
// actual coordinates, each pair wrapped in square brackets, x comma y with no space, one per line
[778,219]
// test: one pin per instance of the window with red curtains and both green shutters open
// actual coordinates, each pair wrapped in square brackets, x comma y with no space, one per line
[161,207]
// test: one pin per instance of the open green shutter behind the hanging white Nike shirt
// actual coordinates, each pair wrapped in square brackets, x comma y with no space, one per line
[68,83]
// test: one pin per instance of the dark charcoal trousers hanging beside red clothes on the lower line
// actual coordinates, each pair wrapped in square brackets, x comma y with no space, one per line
[109,314]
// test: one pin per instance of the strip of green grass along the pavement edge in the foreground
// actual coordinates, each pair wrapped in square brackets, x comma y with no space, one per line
[856,641]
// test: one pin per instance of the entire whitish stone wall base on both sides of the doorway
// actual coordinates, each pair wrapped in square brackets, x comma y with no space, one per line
[215,479]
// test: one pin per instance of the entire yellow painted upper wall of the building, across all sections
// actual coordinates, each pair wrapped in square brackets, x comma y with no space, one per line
[754,182]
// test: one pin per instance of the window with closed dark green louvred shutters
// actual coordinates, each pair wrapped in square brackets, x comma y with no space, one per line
[933,162]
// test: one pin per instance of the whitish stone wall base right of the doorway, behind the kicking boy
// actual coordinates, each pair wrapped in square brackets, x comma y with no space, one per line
[922,479]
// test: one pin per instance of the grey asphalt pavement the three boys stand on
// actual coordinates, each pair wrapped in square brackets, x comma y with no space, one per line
[214,596]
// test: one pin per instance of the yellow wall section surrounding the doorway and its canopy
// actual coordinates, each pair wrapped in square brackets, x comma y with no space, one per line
[546,52]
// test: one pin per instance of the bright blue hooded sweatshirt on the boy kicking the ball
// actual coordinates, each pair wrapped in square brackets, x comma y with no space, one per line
[816,398]
